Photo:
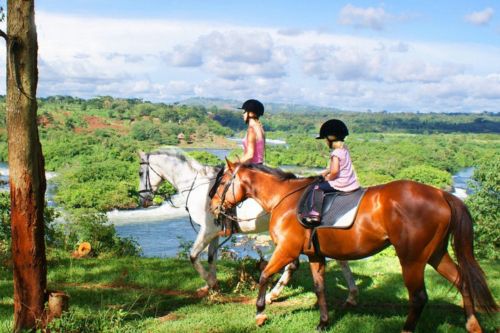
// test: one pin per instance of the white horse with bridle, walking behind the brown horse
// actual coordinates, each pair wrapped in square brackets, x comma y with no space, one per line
[193,181]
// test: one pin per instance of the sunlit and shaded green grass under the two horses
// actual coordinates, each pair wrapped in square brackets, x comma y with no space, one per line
[157,295]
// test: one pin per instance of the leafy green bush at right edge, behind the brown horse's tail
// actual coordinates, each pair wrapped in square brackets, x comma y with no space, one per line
[485,208]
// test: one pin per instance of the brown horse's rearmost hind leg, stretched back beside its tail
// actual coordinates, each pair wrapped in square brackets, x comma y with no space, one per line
[448,269]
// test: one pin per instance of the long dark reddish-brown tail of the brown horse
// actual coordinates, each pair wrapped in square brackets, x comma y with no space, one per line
[472,276]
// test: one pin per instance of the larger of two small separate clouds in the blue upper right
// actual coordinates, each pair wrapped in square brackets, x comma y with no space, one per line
[373,18]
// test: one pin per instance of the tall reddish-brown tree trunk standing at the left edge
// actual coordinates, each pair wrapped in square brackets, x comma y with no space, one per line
[26,167]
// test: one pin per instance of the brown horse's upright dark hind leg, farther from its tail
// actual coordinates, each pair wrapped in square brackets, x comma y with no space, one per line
[413,275]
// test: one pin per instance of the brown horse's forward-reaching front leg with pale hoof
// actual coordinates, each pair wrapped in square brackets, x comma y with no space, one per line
[278,260]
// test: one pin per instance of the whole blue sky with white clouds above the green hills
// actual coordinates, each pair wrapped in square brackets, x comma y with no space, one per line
[399,56]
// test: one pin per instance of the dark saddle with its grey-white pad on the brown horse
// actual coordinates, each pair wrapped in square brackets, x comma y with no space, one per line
[339,208]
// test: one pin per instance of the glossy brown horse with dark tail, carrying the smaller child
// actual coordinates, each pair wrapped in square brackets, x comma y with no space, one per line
[416,219]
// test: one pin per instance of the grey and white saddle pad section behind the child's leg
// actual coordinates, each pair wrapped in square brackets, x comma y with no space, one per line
[340,208]
